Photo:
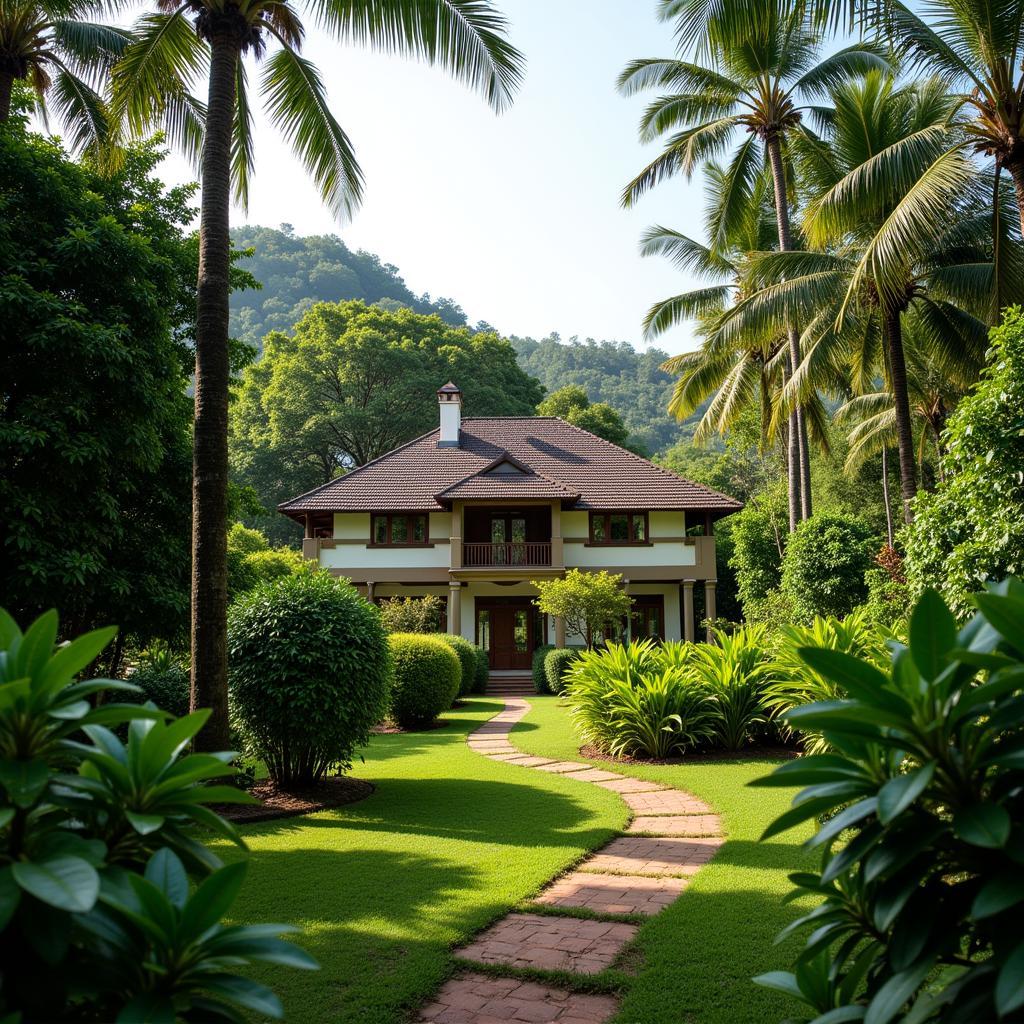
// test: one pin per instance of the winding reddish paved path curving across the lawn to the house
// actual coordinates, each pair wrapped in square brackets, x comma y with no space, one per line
[671,837]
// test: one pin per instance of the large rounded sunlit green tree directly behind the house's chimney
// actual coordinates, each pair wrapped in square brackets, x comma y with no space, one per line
[355,382]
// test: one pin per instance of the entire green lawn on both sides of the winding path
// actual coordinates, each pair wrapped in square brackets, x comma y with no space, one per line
[451,841]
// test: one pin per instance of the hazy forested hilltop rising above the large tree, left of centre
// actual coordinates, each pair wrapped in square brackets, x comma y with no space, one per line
[300,272]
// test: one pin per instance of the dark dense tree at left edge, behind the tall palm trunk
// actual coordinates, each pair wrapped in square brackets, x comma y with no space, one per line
[96,460]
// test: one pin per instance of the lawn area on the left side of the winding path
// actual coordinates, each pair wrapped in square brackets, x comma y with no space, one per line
[383,890]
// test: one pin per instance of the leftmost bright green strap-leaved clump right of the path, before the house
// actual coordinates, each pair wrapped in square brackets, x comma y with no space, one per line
[626,701]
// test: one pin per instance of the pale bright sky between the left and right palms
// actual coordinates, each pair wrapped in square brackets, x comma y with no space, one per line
[516,217]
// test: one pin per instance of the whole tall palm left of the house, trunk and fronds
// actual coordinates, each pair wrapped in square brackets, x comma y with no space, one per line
[152,84]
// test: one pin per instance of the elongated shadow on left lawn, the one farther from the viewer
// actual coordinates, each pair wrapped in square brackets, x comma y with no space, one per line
[485,812]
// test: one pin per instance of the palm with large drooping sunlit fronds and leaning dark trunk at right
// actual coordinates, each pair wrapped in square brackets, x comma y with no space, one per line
[897,237]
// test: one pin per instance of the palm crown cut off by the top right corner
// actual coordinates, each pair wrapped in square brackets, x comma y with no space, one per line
[978,49]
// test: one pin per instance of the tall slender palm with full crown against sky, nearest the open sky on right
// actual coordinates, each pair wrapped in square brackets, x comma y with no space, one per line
[762,73]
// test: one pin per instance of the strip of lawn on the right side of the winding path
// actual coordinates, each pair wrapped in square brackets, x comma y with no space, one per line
[697,959]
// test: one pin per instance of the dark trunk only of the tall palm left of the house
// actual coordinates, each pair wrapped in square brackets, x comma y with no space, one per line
[209,585]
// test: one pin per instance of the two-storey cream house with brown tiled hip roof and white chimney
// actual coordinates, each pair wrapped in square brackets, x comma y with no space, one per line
[479,508]
